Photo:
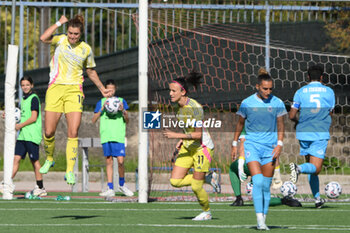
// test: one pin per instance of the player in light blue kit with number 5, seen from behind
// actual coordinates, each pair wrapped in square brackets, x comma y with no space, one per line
[315,102]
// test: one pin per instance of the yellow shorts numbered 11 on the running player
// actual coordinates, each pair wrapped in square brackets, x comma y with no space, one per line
[194,158]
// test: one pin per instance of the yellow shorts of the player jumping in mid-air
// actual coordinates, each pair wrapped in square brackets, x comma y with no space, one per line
[64,98]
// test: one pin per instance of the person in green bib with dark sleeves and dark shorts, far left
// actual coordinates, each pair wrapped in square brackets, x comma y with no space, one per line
[30,133]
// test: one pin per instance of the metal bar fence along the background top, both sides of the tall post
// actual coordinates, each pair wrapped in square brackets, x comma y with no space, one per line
[109,27]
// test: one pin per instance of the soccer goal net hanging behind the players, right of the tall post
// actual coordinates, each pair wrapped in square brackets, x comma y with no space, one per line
[229,55]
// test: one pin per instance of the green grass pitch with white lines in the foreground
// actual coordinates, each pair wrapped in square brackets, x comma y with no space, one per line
[87,214]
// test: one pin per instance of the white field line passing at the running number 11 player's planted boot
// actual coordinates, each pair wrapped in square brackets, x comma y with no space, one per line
[165,210]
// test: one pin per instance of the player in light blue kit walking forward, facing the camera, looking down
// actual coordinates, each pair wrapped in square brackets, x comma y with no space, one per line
[262,115]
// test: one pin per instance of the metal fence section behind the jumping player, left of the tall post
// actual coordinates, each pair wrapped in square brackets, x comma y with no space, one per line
[108,28]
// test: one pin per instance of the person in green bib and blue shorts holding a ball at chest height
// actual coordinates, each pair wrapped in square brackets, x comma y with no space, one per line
[112,133]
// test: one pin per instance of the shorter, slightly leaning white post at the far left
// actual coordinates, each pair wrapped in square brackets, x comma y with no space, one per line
[10,132]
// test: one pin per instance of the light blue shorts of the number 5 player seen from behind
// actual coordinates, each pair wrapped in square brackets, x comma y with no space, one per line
[314,148]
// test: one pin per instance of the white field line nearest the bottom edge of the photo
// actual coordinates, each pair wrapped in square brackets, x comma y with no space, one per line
[285,227]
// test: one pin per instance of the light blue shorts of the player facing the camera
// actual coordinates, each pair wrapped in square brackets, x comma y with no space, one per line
[257,152]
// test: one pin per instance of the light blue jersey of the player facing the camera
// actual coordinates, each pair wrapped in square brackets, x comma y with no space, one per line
[261,118]
